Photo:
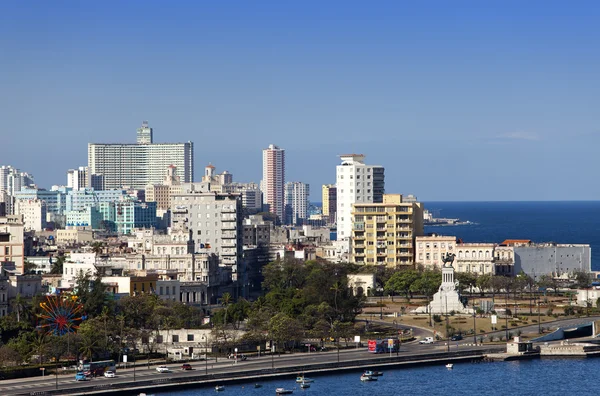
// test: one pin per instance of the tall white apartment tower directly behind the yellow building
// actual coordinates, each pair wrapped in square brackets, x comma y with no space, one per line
[356,183]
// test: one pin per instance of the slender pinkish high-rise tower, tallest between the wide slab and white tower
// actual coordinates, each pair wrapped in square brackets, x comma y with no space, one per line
[273,181]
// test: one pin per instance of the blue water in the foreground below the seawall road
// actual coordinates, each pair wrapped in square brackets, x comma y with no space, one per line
[548,377]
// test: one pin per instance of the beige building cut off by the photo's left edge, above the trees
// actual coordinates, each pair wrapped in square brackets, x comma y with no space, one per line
[12,247]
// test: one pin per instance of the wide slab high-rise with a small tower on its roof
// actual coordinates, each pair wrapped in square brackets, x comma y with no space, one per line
[137,165]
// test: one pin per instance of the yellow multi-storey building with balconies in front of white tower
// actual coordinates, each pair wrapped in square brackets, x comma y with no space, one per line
[384,233]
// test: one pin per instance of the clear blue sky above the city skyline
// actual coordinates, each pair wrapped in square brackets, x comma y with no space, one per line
[458,100]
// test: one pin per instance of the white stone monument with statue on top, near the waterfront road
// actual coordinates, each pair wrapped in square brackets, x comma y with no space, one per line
[447,299]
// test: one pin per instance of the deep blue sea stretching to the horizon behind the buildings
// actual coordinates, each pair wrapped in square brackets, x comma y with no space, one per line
[549,221]
